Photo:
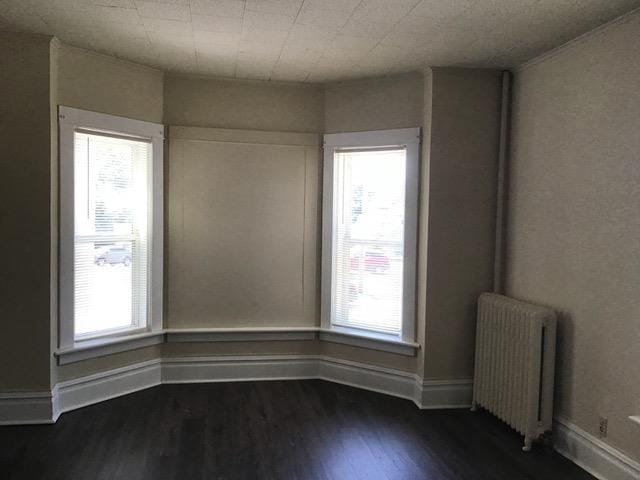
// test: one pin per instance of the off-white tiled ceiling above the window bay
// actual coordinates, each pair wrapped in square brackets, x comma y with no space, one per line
[312,40]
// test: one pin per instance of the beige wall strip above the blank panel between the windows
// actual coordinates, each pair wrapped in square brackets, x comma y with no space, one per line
[248,105]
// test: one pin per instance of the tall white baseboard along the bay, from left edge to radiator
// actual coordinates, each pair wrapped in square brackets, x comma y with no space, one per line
[45,407]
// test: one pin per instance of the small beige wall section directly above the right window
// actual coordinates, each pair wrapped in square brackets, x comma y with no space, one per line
[374,104]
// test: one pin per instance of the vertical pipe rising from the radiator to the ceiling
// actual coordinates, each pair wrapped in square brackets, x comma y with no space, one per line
[501,204]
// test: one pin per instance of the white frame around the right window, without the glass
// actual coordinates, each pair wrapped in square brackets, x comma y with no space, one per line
[404,343]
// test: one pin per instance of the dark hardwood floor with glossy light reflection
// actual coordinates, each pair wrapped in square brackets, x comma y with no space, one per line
[272,430]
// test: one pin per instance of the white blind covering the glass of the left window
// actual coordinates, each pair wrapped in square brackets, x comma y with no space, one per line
[111,235]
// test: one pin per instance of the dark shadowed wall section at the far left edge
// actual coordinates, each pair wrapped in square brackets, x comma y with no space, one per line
[26,166]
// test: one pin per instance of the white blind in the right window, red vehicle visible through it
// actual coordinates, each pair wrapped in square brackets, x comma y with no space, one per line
[368,238]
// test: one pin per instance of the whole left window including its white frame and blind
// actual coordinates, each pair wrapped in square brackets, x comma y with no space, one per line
[111,226]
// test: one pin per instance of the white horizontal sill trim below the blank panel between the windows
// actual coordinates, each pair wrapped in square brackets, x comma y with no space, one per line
[179,335]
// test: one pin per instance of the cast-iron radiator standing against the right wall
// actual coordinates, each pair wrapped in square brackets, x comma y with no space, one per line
[514,364]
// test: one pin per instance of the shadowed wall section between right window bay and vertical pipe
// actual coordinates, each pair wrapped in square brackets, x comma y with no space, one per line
[462,164]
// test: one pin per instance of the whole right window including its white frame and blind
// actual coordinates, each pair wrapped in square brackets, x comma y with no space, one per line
[369,233]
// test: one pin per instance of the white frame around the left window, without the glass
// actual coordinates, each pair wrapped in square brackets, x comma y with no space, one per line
[71,120]
